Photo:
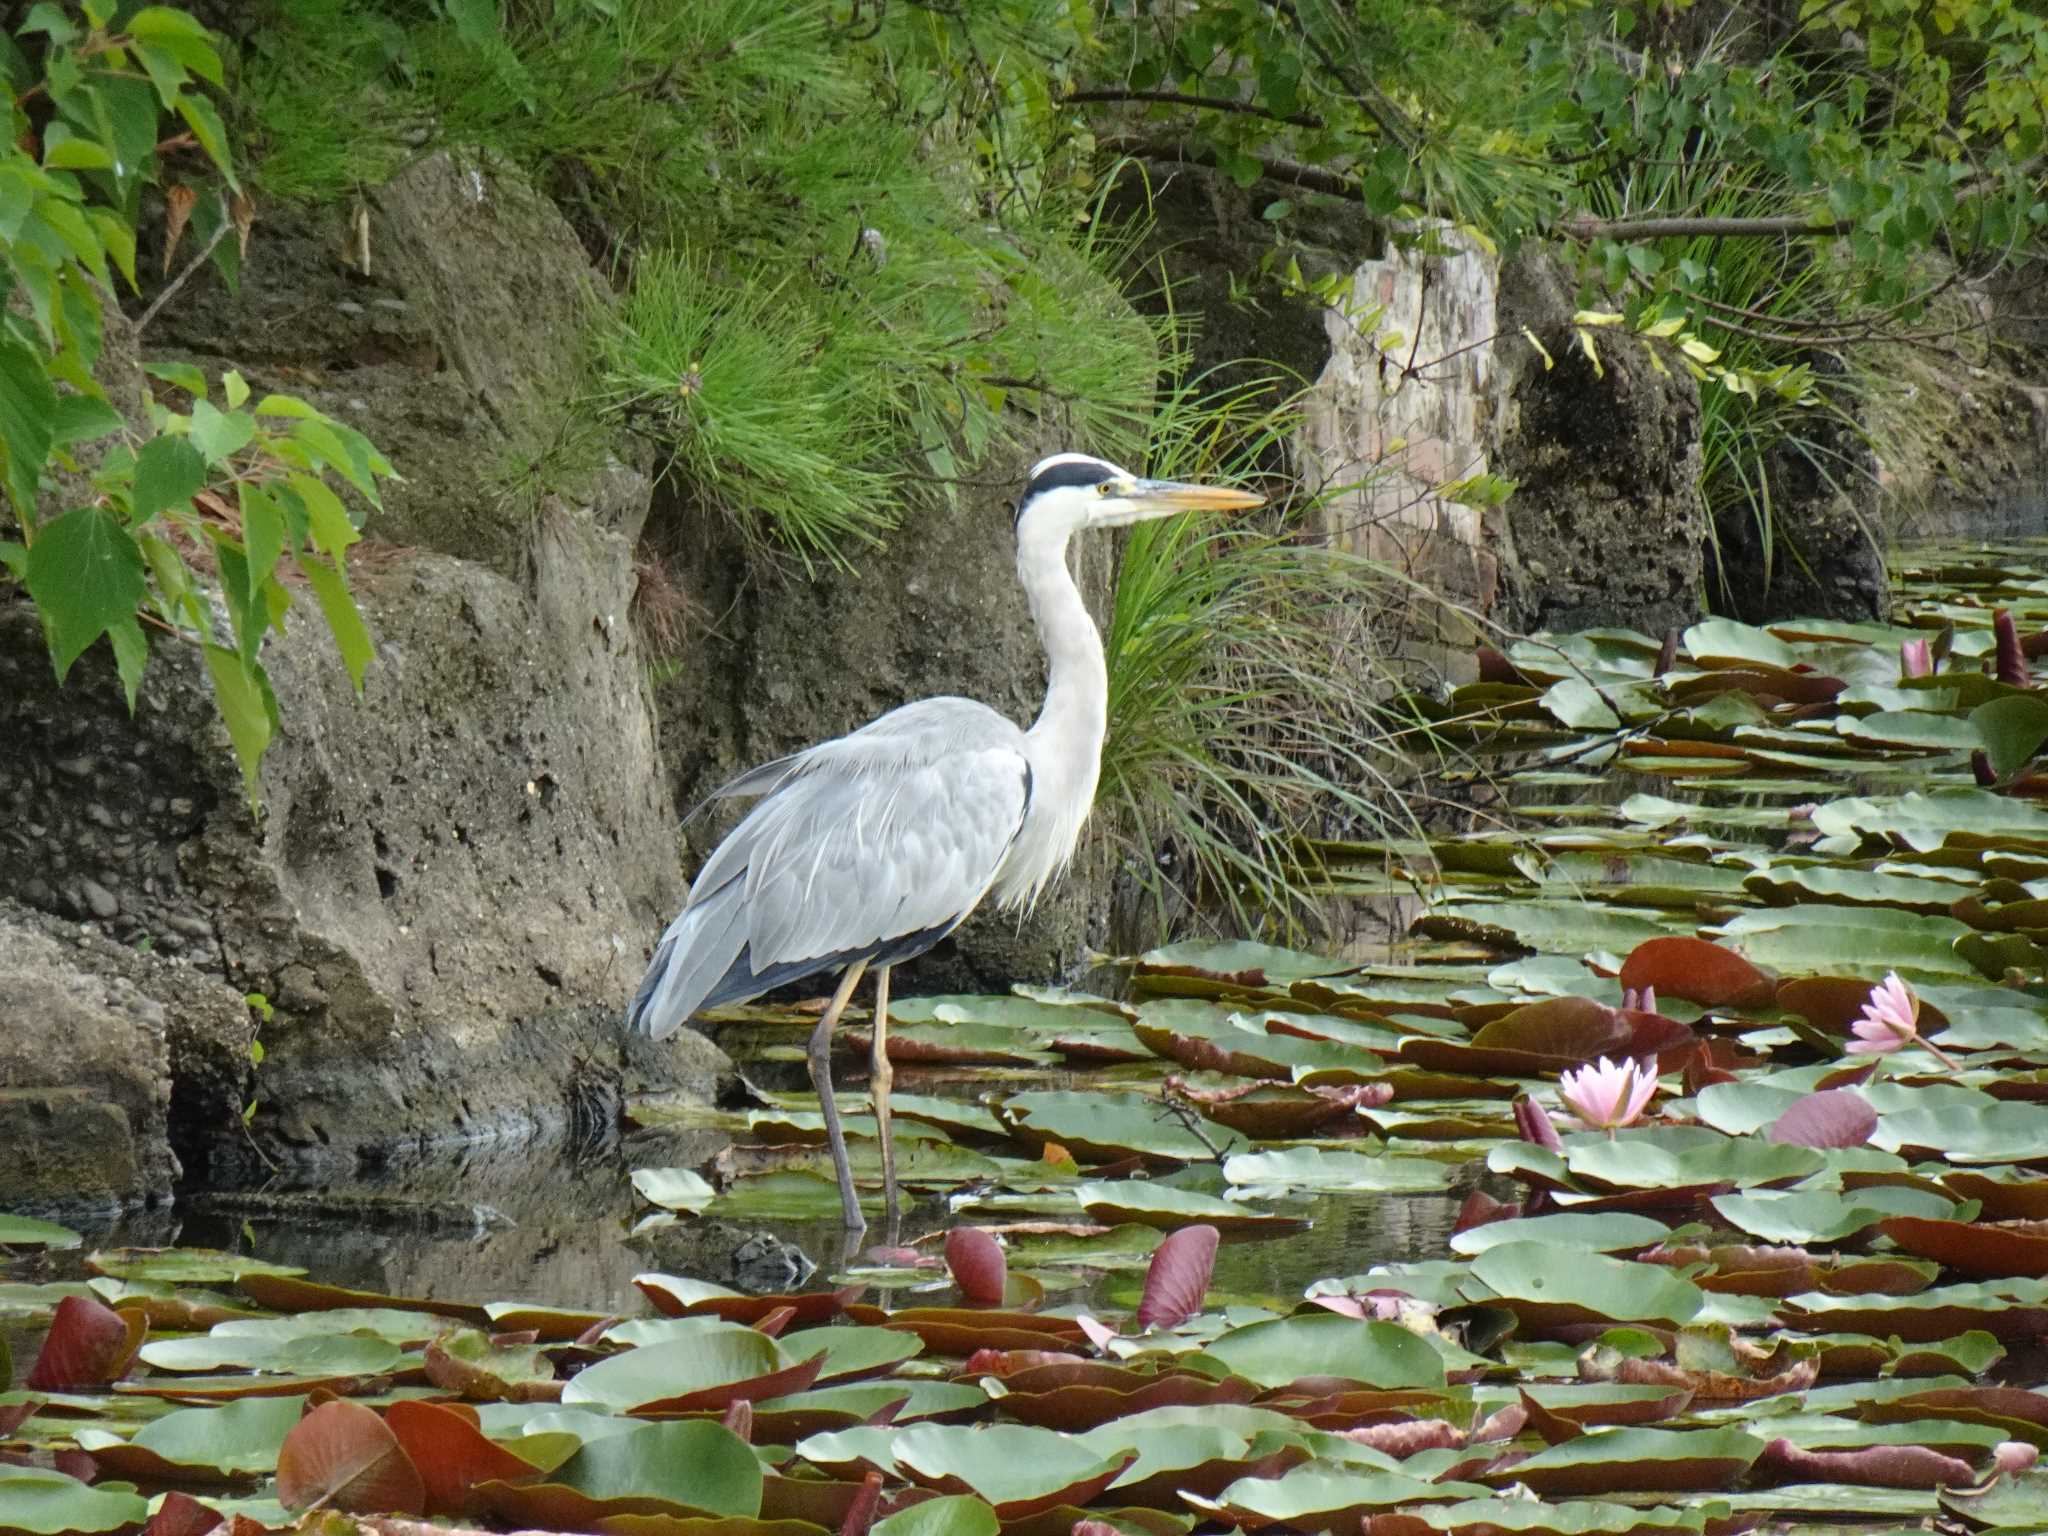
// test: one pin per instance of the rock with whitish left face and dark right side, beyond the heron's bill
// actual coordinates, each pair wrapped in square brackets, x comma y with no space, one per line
[1605,525]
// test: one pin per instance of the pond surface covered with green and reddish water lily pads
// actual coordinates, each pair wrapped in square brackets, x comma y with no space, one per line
[1809,1285]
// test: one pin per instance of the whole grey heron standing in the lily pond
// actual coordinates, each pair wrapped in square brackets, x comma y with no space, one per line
[867,851]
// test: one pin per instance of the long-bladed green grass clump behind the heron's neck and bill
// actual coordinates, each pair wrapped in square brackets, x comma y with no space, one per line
[1242,687]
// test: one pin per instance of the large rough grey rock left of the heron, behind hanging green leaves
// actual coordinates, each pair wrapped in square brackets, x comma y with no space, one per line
[454,880]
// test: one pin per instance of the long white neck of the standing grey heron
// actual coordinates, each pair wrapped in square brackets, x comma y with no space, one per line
[1066,742]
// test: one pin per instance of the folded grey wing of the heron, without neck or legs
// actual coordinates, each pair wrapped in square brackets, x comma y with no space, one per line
[890,833]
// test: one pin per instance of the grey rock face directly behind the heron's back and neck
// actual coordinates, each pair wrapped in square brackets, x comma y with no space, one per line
[777,660]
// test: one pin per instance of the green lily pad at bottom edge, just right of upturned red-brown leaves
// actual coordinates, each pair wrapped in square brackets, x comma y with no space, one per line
[658,1469]
